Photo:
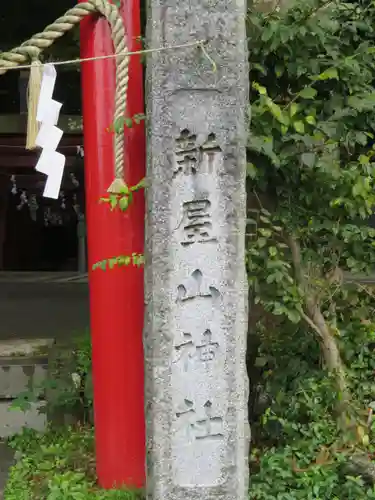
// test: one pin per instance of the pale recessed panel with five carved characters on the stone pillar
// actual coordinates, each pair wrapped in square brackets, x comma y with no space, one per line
[199,353]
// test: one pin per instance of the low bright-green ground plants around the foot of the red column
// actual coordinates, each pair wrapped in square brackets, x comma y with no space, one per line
[57,465]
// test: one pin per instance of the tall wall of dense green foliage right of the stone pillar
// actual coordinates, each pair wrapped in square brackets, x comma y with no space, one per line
[311,192]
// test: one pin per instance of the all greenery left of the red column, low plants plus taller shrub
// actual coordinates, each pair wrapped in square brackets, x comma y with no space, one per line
[60,463]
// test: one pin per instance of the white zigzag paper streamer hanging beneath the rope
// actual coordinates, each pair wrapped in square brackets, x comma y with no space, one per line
[50,163]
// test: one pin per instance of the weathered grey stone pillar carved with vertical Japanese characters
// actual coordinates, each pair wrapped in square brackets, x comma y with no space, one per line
[196,288]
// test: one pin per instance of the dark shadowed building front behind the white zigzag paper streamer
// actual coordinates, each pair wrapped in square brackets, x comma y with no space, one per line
[38,234]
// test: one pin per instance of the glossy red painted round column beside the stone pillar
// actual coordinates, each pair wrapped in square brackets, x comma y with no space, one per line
[116,296]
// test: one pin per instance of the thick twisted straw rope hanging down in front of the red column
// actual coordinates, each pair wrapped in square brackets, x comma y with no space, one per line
[31,49]
